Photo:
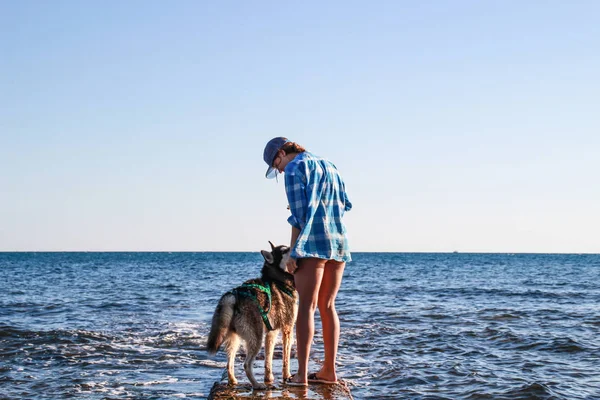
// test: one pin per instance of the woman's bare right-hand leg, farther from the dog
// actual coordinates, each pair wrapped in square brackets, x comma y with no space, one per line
[330,285]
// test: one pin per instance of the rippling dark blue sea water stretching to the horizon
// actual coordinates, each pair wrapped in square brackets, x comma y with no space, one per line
[414,326]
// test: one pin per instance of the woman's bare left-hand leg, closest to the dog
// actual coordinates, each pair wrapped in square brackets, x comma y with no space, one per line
[308,280]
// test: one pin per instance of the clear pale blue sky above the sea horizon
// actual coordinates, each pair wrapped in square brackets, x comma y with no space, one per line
[469,126]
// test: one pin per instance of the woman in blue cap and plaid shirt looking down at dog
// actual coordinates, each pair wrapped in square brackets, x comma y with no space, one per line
[317,201]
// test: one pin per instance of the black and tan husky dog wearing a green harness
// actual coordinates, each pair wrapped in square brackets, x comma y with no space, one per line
[262,306]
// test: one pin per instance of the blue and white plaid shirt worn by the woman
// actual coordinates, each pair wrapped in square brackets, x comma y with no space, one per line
[318,201]
